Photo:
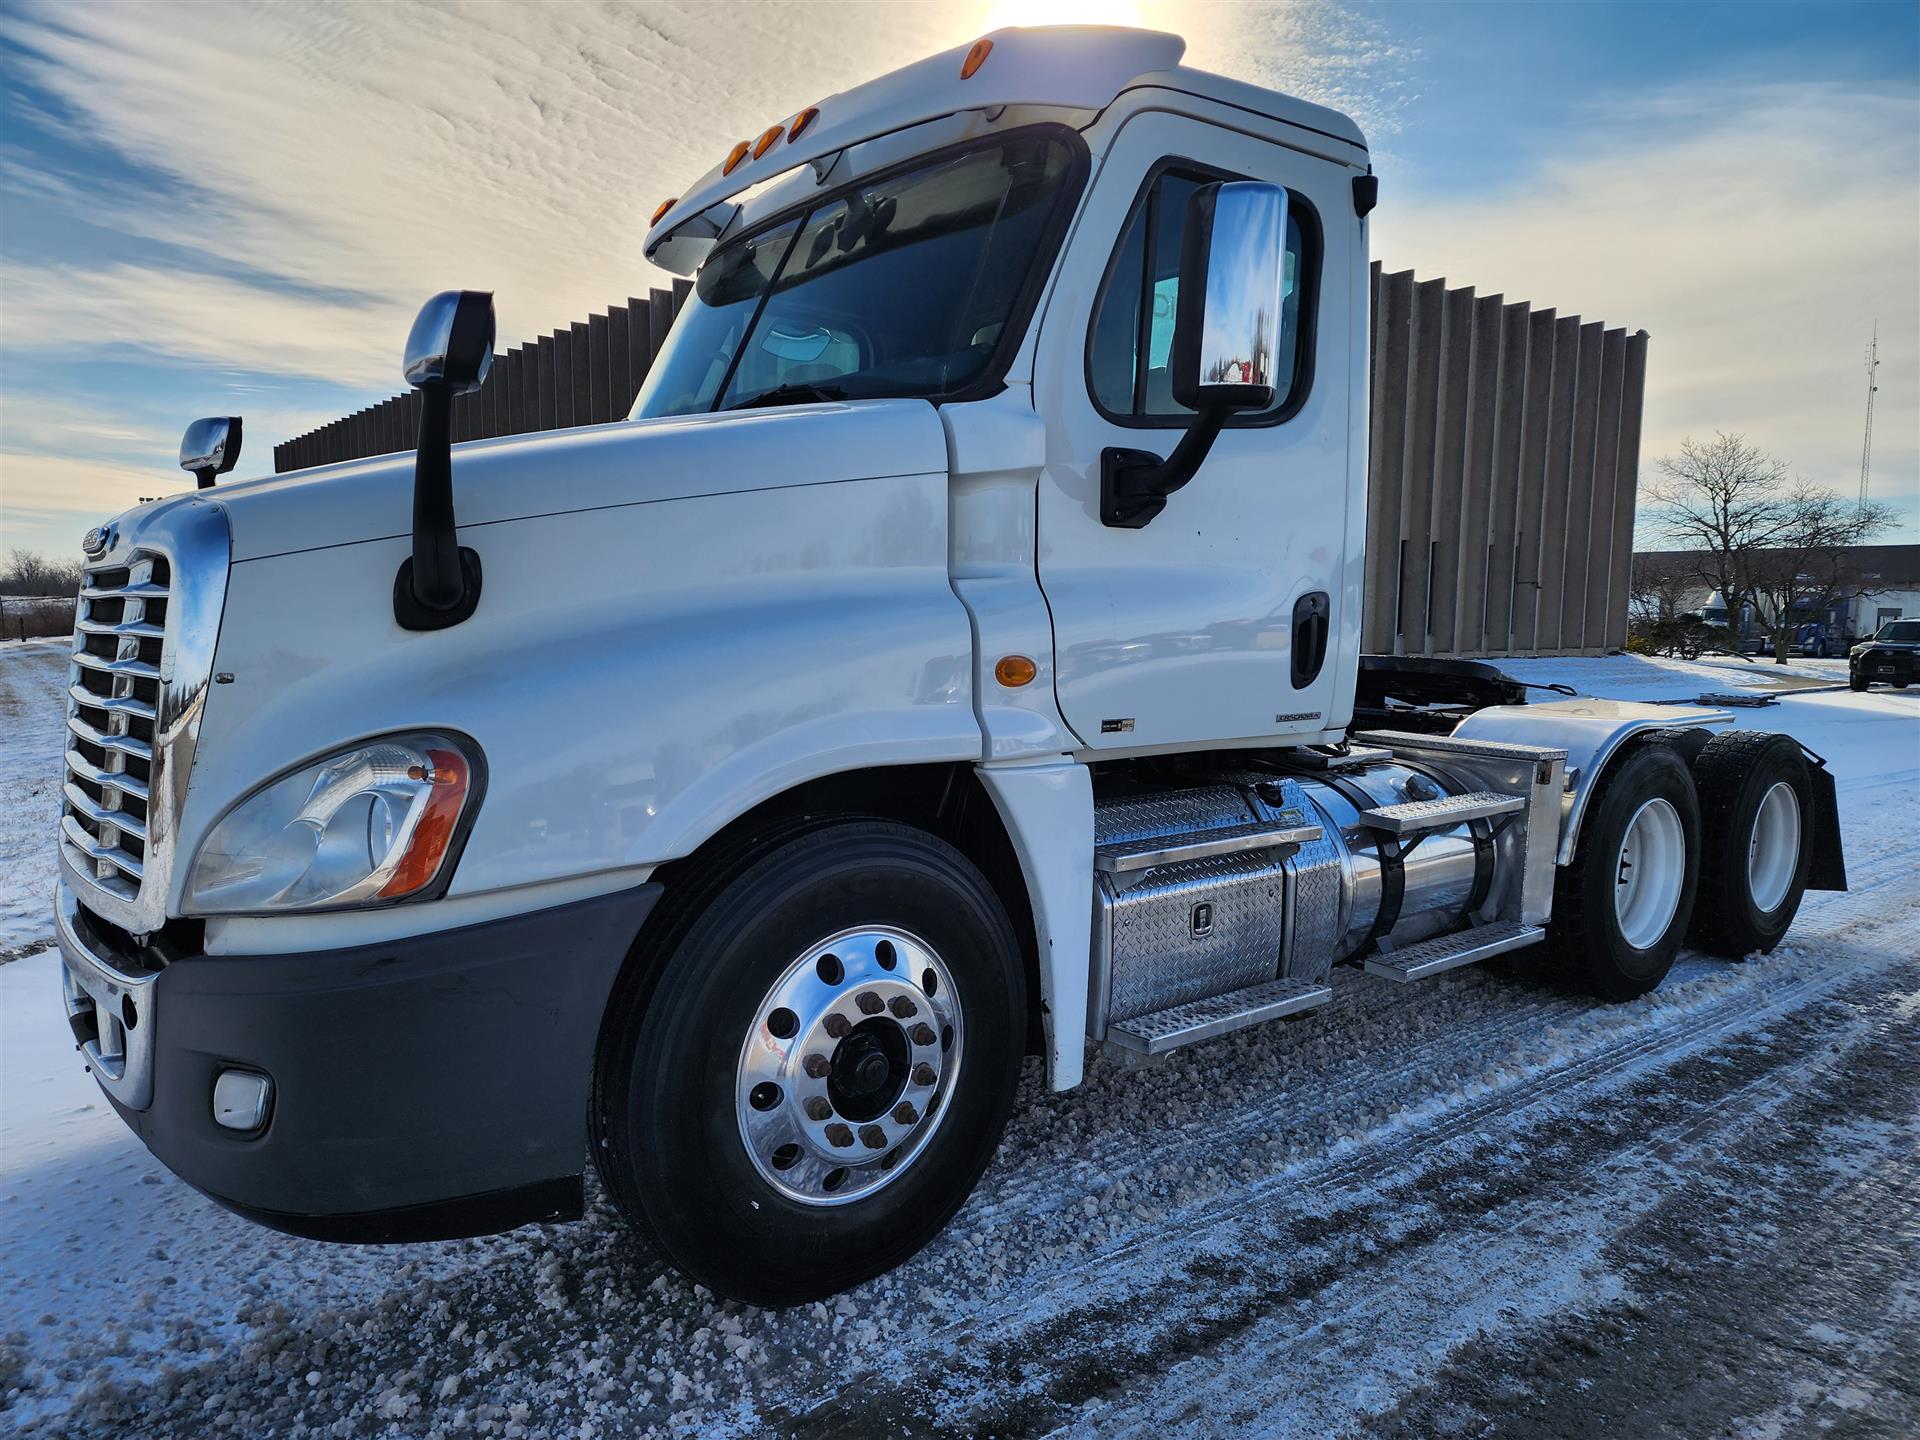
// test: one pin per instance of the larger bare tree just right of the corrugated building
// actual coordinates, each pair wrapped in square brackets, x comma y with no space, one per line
[1721,502]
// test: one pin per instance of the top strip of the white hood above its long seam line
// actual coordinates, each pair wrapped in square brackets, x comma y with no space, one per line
[588,468]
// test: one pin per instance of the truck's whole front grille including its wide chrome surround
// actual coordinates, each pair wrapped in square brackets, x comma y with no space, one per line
[143,658]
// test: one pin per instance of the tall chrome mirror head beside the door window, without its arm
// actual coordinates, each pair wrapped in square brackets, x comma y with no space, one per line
[1234,272]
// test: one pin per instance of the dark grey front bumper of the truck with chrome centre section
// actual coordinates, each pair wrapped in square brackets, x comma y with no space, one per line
[427,1088]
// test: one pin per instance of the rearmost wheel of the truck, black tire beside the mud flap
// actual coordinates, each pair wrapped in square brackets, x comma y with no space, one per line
[1756,804]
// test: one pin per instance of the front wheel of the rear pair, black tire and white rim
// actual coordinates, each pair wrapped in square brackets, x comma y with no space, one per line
[1621,909]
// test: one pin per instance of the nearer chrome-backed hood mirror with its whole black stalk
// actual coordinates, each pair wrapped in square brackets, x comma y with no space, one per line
[448,354]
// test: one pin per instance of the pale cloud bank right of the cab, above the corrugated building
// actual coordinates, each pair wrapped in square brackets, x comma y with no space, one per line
[1754,231]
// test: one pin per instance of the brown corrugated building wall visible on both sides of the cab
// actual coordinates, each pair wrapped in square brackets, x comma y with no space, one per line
[1504,458]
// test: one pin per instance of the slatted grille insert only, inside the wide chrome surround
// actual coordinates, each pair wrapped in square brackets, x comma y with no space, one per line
[120,640]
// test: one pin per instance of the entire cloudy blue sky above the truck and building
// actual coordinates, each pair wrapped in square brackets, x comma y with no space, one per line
[237,208]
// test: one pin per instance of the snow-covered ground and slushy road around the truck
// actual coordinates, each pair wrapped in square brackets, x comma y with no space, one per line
[1476,1207]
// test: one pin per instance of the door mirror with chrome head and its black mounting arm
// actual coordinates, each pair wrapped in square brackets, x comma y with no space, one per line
[1226,339]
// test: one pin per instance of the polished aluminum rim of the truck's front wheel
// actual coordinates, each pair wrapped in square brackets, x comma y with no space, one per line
[850,1067]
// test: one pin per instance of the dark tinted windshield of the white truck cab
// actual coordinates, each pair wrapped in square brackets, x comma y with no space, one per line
[900,287]
